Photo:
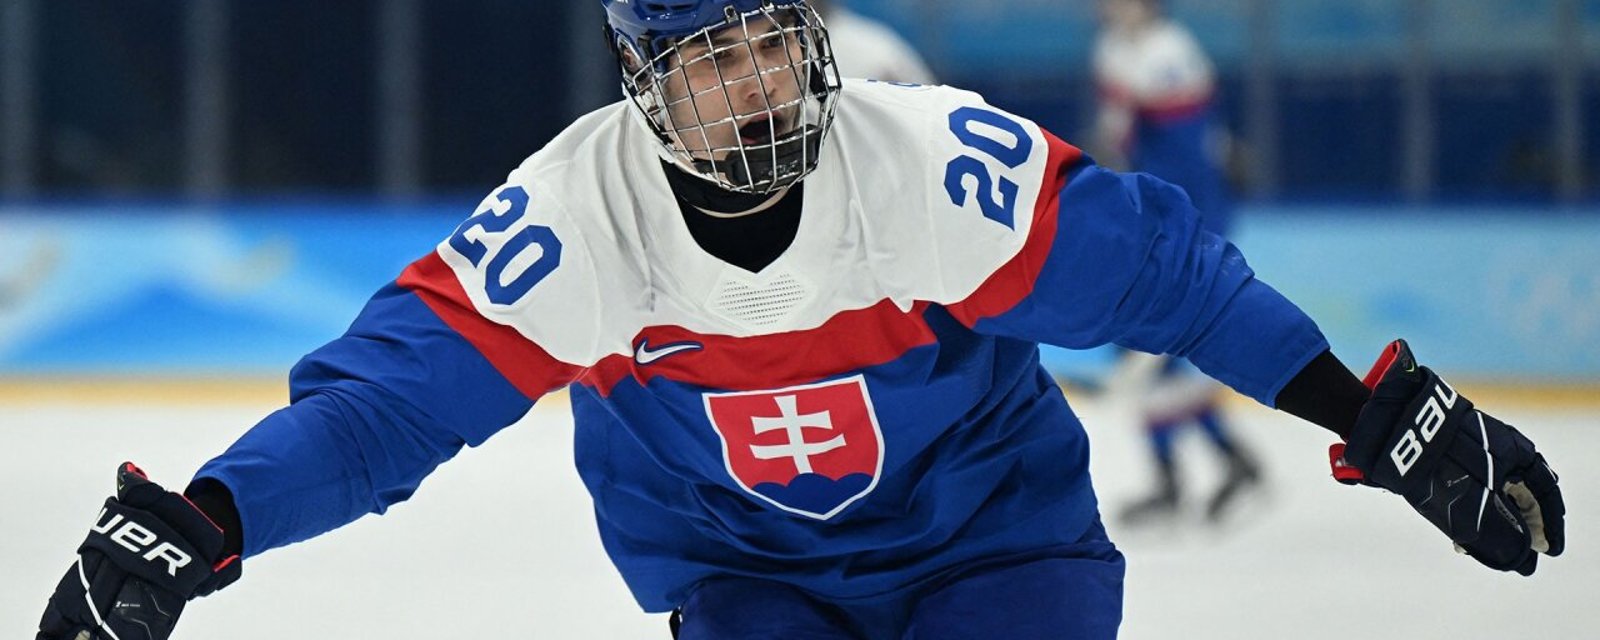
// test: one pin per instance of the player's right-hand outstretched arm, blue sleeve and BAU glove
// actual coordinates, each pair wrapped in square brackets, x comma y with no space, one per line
[1129,263]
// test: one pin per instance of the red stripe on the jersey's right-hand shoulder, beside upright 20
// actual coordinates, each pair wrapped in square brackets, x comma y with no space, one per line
[1015,281]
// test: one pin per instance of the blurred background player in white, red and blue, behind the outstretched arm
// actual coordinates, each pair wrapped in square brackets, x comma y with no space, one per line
[1156,116]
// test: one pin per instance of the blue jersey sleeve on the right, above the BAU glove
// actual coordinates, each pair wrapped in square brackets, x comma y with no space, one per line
[1132,265]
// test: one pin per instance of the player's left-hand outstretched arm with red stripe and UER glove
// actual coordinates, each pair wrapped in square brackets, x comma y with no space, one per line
[417,377]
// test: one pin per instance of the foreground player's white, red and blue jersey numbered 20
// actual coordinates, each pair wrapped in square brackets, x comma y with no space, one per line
[860,417]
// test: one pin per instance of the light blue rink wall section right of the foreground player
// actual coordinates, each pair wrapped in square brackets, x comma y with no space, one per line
[1494,295]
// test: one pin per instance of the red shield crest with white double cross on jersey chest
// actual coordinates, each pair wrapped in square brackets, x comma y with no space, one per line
[809,450]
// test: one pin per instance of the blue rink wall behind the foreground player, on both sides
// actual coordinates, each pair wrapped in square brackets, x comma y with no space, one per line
[146,290]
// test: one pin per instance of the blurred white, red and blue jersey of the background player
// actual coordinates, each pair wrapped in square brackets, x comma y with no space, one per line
[1159,108]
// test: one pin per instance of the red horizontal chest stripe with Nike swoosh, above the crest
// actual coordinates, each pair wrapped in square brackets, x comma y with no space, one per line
[849,342]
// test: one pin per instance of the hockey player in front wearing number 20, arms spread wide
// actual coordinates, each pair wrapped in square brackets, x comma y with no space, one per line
[799,324]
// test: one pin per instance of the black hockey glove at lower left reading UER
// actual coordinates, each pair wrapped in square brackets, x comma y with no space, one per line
[150,553]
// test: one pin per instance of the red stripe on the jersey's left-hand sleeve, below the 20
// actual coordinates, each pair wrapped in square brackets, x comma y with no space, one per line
[532,370]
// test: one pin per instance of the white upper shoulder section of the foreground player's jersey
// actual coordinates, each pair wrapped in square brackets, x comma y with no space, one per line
[874,210]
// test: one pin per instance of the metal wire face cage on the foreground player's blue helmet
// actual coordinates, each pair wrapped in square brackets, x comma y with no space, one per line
[745,103]
